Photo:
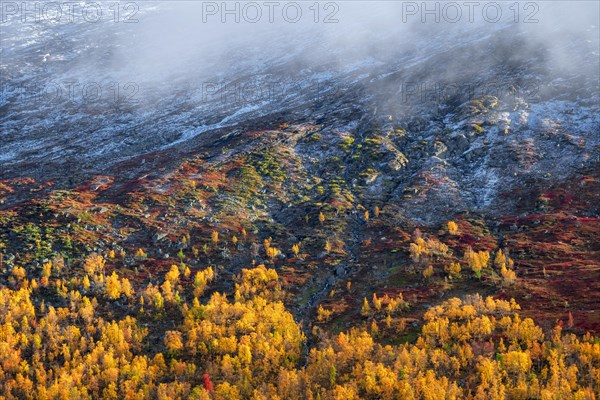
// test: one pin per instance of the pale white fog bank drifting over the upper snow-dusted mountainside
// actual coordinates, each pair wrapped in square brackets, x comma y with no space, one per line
[202,40]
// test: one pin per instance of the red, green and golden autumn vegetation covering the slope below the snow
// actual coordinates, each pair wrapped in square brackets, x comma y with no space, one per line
[273,275]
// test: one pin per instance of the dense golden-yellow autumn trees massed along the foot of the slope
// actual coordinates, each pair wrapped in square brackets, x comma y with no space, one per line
[248,346]
